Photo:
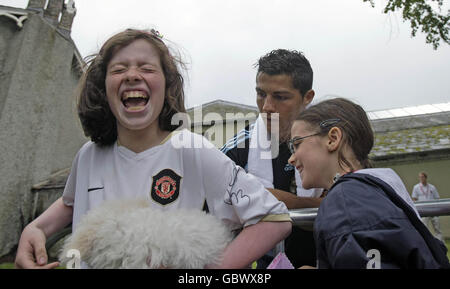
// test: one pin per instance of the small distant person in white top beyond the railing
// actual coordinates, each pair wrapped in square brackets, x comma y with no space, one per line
[424,191]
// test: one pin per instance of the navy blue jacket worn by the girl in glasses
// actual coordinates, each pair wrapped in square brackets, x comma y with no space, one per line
[362,212]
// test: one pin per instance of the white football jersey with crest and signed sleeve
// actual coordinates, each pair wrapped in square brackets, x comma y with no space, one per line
[184,171]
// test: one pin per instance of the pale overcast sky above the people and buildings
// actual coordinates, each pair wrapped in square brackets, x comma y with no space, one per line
[356,51]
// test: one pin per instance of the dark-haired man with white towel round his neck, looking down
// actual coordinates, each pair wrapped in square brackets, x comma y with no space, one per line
[284,89]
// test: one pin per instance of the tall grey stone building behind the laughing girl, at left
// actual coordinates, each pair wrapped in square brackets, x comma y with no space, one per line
[39,129]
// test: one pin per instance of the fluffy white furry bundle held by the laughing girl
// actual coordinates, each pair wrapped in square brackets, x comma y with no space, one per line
[129,234]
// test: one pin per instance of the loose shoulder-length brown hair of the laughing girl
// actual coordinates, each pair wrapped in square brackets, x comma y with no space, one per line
[95,115]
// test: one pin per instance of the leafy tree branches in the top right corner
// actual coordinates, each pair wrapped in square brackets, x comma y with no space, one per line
[421,14]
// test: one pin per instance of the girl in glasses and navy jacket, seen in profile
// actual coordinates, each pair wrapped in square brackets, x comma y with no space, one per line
[367,219]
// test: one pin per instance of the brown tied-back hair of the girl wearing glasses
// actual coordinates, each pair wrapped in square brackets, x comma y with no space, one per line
[353,122]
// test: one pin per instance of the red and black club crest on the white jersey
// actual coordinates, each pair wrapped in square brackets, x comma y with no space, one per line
[165,187]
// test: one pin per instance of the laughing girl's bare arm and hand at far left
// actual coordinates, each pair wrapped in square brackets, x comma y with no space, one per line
[31,251]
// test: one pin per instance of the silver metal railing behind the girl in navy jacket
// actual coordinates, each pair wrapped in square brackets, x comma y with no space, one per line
[304,218]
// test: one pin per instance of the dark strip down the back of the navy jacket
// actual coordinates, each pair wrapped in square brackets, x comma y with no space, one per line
[437,248]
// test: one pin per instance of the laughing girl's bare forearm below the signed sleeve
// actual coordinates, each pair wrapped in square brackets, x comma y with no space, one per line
[253,242]
